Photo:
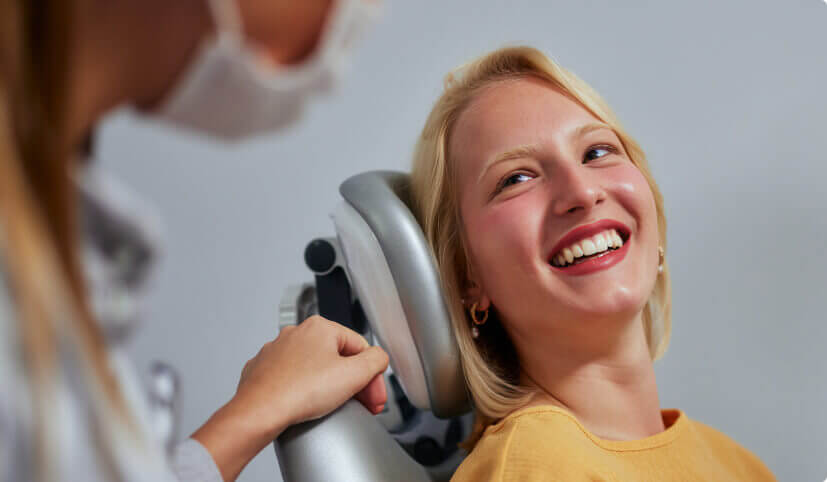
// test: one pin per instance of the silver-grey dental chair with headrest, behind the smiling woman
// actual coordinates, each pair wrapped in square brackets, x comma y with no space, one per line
[378,277]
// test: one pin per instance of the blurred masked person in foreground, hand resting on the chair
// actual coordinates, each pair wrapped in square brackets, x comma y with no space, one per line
[72,253]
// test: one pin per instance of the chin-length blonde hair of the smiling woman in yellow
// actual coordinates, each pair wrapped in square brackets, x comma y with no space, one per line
[489,363]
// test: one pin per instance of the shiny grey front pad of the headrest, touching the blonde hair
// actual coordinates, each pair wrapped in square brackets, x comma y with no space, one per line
[382,198]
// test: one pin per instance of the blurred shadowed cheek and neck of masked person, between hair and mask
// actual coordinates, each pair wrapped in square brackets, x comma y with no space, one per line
[128,52]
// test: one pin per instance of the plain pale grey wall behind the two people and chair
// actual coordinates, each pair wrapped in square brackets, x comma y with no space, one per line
[728,99]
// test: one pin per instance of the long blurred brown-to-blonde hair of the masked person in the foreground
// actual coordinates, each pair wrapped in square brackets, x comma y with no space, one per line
[39,220]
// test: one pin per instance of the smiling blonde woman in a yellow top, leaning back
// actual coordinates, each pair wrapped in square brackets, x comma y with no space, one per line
[549,233]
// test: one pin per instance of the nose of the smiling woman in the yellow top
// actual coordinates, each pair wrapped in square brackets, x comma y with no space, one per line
[575,188]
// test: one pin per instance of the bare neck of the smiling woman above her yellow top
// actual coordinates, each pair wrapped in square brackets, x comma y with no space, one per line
[611,391]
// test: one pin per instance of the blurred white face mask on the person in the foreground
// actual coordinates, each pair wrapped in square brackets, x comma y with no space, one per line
[231,93]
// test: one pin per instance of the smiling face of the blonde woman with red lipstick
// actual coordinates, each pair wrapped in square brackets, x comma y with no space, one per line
[537,173]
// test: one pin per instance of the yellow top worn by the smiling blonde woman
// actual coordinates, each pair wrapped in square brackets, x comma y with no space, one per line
[546,443]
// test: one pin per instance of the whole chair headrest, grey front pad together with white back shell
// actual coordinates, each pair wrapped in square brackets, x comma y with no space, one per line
[393,272]
